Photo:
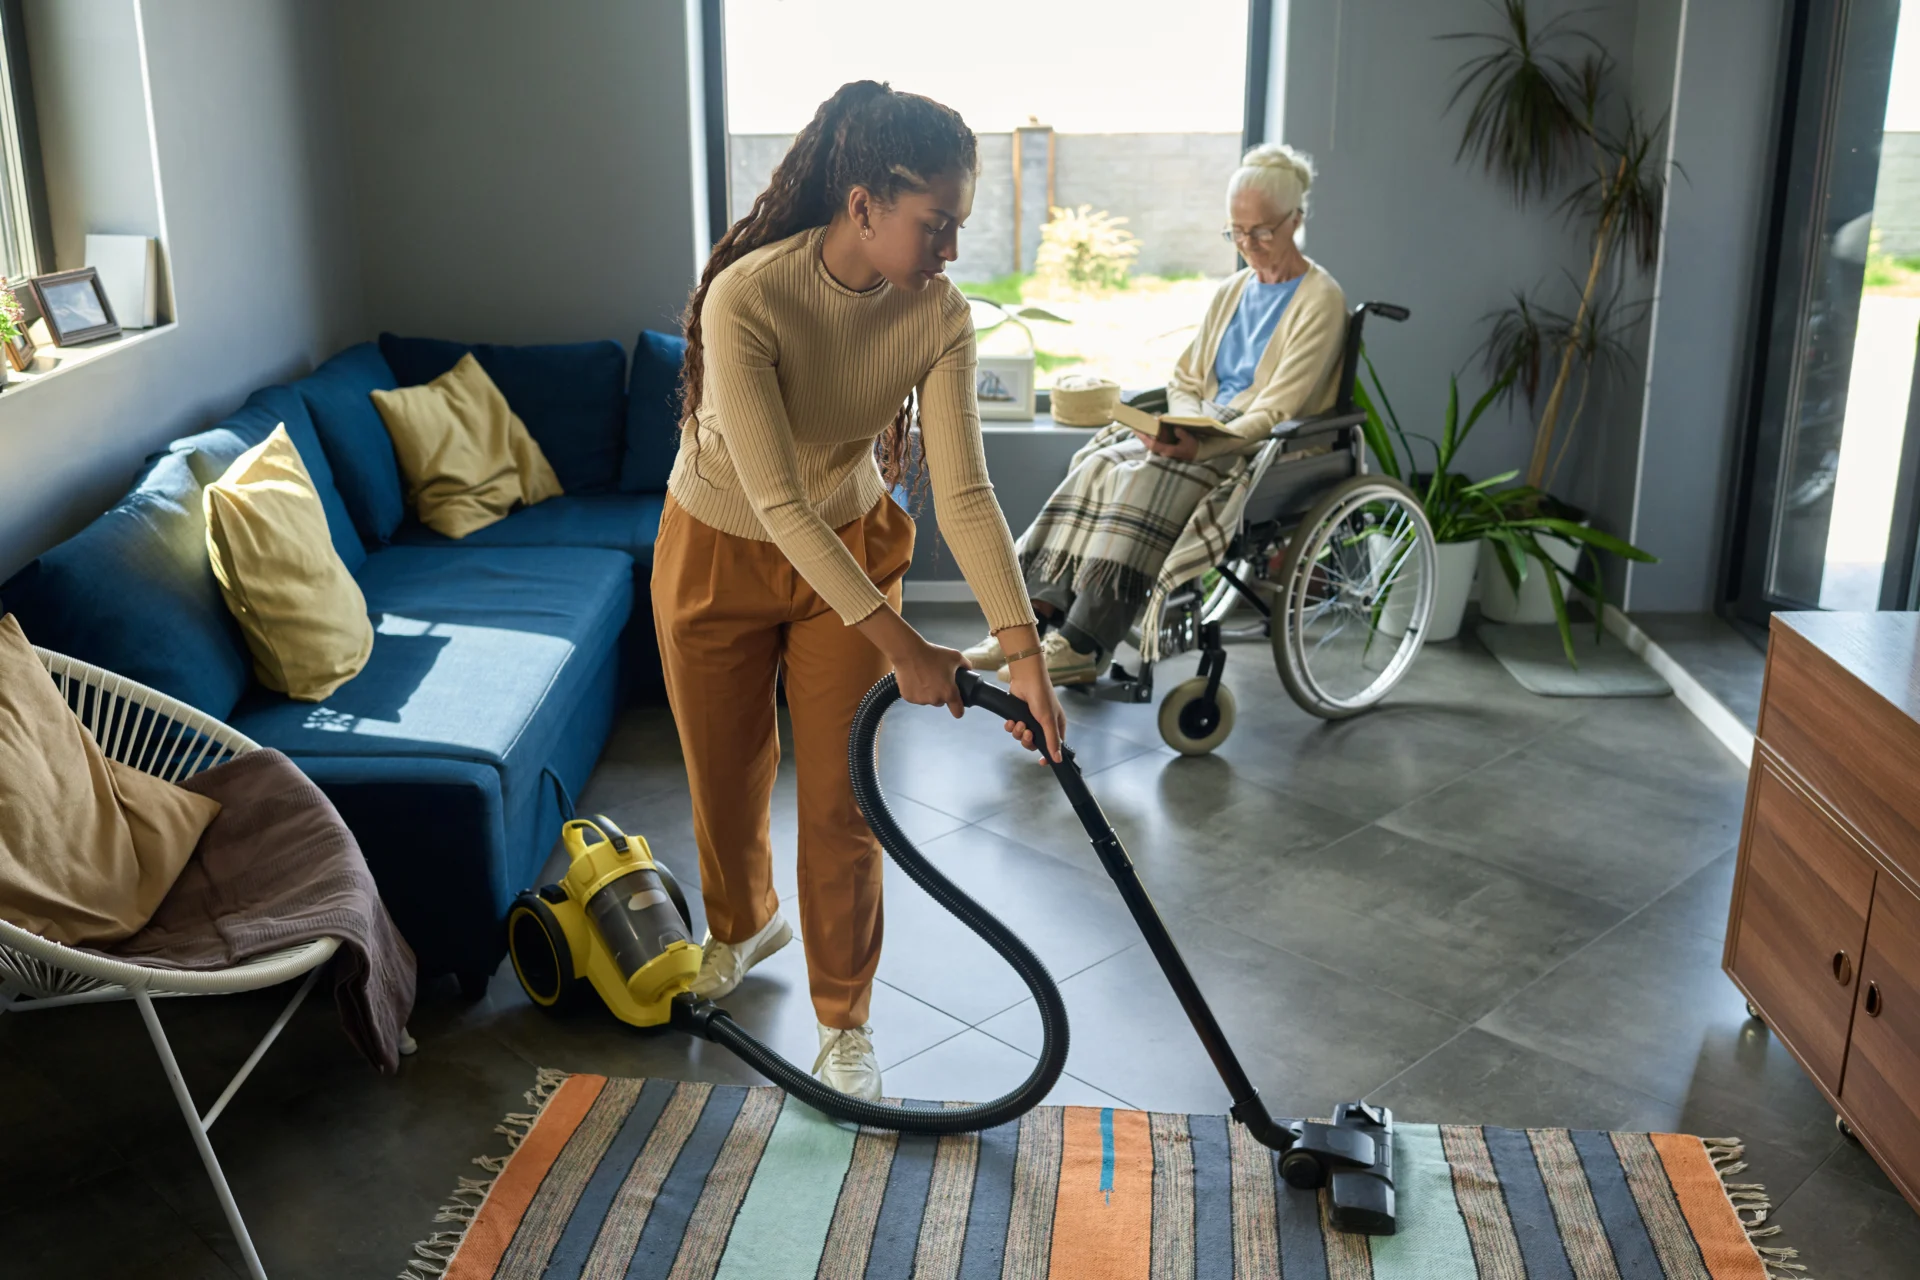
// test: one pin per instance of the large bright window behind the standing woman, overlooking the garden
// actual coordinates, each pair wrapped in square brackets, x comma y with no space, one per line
[1107,135]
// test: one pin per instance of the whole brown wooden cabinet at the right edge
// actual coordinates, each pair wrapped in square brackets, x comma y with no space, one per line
[1825,930]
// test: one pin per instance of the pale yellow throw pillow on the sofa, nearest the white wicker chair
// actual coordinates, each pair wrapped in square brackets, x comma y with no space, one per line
[300,611]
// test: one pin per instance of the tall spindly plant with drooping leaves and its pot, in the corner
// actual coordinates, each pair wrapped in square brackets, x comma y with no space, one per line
[1539,116]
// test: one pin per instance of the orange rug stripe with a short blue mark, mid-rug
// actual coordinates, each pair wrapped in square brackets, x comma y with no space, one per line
[1105,1212]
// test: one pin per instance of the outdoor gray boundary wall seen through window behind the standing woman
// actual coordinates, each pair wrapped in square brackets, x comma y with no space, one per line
[1170,187]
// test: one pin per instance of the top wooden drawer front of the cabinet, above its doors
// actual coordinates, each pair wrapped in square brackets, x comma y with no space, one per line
[1848,742]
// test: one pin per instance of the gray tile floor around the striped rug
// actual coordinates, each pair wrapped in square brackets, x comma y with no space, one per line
[1472,905]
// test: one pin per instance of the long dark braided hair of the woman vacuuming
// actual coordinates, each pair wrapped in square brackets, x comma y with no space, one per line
[865,135]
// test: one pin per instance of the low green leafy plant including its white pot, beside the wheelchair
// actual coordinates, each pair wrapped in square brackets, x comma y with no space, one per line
[1472,513]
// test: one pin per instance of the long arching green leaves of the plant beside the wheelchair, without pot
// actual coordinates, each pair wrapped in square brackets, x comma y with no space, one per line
[1506,515]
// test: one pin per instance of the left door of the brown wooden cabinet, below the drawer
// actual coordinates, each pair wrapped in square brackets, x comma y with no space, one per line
[1800,899]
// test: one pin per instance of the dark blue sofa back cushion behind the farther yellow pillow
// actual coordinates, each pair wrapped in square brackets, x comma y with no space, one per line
[567,394]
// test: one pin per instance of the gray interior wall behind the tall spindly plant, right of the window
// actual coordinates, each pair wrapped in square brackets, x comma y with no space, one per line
[1395,216]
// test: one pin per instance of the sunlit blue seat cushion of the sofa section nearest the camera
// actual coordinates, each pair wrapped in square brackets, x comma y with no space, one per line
[479,655]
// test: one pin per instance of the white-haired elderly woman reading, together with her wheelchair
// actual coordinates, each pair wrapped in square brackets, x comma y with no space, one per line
[1170,533]
